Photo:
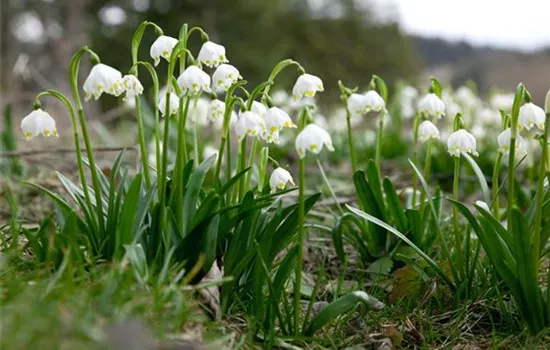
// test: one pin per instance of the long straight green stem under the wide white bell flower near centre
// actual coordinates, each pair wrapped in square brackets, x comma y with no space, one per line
[301,235]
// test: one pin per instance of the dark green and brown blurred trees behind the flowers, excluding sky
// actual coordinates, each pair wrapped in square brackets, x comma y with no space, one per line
[335,39]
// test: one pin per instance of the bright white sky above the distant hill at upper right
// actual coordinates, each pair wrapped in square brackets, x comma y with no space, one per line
[523,24]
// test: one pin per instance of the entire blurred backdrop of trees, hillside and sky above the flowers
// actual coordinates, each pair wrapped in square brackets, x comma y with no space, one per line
[493,43]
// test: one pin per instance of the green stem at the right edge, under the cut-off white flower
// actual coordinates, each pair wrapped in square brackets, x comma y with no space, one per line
[535,241]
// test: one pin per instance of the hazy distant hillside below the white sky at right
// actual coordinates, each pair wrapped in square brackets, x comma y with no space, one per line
[458,62]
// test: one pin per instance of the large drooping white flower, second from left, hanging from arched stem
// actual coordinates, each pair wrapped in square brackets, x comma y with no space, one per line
[102,79]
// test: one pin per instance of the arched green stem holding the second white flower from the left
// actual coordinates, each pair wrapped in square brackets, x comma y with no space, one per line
[74,66]
